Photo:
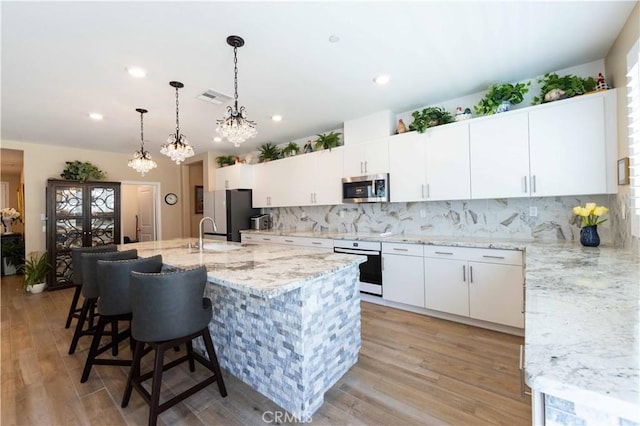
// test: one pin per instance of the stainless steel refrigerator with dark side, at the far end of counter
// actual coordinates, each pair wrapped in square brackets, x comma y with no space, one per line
[231,210]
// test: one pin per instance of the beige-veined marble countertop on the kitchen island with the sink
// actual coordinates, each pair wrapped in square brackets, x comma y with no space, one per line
[252,268]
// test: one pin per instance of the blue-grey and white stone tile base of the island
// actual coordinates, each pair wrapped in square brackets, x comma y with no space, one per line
[293,347]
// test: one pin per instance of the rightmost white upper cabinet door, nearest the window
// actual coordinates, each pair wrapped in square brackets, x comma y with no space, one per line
[567,148]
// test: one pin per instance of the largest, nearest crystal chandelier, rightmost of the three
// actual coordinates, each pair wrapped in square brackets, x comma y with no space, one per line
[235,126]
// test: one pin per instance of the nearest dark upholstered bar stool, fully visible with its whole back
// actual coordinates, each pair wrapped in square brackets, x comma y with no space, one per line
[169,309]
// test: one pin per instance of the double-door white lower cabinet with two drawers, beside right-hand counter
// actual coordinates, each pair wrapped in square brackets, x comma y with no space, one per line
[483,284]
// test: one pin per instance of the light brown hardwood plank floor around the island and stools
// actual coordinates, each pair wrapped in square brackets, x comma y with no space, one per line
[412,369]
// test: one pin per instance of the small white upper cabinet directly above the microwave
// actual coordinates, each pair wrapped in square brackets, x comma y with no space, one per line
[366,158]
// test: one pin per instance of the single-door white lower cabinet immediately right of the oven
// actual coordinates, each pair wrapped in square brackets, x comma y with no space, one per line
[403,273]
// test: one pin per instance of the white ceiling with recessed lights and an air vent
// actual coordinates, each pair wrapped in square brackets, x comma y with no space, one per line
[62,60]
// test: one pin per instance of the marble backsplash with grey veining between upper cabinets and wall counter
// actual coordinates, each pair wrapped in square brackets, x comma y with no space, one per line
[495,218]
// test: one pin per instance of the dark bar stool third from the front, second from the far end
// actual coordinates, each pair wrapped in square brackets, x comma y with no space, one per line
[88,262]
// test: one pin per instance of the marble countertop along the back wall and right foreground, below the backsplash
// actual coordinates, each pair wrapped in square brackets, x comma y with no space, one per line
[582,320]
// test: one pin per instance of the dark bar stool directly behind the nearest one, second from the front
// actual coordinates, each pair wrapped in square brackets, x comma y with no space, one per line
[114,305]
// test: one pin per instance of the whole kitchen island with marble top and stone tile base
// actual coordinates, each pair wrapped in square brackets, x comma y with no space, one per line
[286,320]
